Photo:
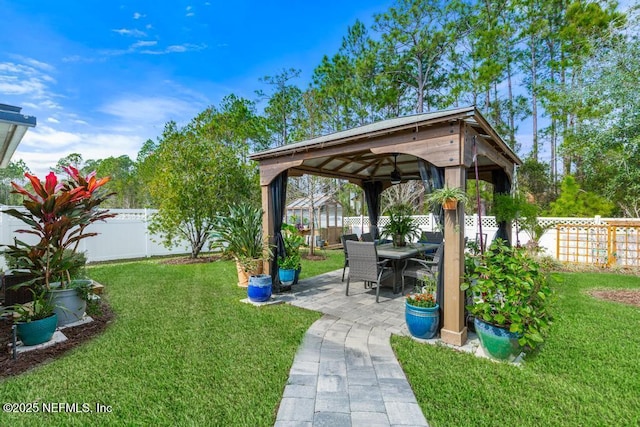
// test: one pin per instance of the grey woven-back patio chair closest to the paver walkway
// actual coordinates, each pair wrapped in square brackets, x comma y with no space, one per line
[364,265]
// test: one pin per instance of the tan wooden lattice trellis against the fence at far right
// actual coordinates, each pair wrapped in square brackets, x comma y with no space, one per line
[615,243]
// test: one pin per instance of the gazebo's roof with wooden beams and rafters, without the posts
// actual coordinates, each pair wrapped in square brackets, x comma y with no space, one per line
[366,153]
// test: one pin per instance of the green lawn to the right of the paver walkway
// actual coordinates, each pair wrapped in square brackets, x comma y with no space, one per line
[585,375]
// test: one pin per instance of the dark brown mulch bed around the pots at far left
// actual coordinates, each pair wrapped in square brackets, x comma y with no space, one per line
[75,336]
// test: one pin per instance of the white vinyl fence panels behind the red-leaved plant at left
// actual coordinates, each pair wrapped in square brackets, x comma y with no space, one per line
[124,237]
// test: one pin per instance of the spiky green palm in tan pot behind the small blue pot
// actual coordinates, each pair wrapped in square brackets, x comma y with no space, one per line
[240,233]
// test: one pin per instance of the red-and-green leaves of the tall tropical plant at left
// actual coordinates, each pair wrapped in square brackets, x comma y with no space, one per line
[58,213]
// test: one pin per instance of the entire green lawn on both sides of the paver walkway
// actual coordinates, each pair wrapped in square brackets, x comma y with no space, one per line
[184,351]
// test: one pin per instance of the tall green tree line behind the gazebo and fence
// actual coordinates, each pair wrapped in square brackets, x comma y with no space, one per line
[567,67]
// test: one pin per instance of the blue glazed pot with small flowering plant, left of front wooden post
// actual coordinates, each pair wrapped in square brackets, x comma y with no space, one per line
[422,312]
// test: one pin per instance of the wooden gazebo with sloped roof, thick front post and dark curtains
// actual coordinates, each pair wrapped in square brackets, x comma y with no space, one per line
[439,148]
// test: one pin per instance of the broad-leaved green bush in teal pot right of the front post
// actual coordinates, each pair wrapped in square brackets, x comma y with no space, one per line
[507,288]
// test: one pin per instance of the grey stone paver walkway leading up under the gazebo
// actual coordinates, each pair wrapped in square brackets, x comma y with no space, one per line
[345,373]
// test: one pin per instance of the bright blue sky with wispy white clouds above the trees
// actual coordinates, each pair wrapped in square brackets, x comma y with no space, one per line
[102,77]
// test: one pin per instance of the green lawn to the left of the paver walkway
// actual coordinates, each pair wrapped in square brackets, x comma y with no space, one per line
[182,351]
